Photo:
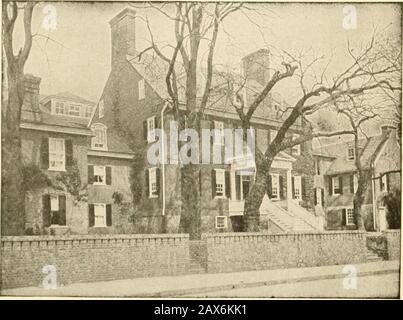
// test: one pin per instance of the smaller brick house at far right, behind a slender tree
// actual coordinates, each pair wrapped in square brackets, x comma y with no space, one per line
[336,179]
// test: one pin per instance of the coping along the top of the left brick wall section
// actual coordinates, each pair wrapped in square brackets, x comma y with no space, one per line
[94,237]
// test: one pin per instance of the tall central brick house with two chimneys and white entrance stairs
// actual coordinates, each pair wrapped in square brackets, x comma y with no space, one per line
[133,104]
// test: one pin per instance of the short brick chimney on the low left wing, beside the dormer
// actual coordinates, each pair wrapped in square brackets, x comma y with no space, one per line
[31,98]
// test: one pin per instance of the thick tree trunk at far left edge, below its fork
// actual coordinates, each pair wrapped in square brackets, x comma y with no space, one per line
[13,191]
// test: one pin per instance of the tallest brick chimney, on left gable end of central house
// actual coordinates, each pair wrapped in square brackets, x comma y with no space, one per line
[123,34]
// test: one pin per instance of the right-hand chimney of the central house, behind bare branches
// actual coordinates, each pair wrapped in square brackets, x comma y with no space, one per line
[256,66]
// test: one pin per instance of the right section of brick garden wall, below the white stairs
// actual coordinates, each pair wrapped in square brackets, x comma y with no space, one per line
[232,252]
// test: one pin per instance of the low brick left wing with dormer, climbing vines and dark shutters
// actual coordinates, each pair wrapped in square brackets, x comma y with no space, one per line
[71,189]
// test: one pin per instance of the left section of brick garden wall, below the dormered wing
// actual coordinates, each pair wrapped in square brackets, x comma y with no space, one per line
[92,258]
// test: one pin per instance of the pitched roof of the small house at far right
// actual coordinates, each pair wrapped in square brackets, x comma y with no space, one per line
[368,147]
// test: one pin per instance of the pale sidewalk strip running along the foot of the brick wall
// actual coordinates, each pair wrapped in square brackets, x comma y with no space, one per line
[176,286]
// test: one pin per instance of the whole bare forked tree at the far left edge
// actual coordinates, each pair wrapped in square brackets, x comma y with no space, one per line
[12,196]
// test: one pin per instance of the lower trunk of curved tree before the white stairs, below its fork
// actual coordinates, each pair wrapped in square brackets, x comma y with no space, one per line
[256,194]
